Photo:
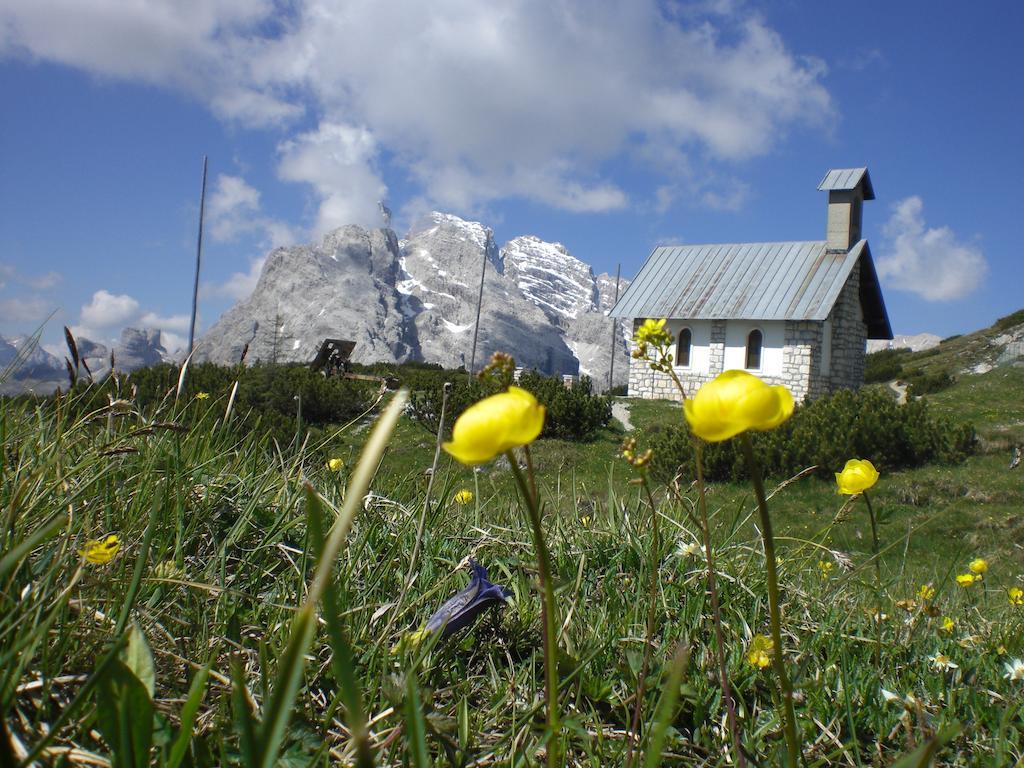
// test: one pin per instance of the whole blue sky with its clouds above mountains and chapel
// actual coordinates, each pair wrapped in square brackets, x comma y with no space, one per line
[611,127]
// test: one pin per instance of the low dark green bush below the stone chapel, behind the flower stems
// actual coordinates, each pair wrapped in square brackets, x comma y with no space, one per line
[868,424]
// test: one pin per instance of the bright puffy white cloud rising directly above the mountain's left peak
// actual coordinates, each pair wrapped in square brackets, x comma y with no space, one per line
[338,161]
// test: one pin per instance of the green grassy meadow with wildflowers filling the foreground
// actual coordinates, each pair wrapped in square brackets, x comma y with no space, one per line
[215,637]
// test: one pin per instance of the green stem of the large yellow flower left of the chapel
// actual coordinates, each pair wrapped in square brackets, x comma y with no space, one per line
[529,491]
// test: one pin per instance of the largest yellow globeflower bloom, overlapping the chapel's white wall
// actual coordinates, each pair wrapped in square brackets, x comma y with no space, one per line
[734,403]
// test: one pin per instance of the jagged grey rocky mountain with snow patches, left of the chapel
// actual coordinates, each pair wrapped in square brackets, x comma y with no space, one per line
[415,300]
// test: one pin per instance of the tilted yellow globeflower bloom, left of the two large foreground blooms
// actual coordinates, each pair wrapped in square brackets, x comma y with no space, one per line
[495,425]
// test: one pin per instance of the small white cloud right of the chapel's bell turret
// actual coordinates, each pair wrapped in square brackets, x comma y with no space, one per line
[931,263]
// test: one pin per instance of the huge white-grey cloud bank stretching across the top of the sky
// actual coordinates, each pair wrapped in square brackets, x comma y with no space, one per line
[475,102]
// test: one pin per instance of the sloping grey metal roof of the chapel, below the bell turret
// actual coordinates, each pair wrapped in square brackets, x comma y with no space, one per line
[752,281]
